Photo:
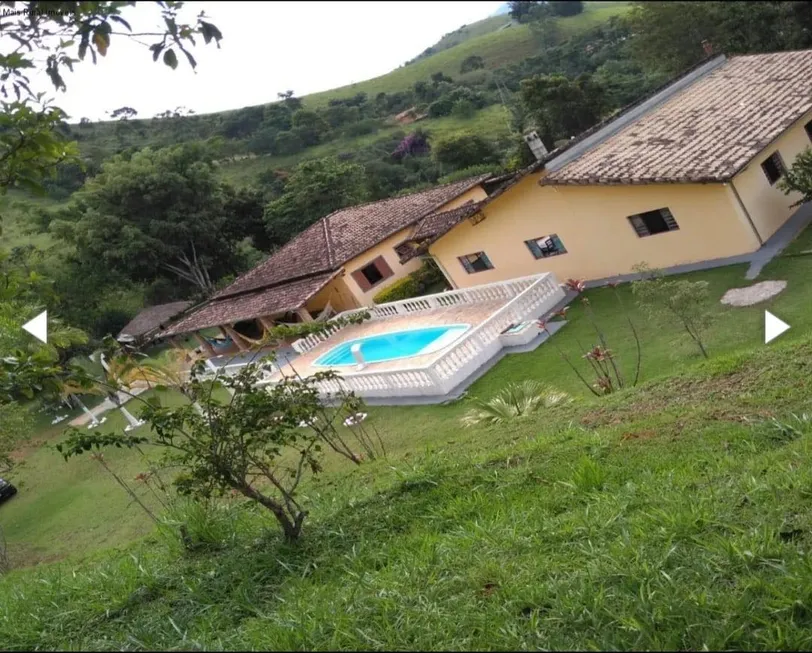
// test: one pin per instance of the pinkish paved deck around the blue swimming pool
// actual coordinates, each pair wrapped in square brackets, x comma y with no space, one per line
[473,314]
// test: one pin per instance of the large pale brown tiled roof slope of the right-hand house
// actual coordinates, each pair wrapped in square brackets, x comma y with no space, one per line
[708,131]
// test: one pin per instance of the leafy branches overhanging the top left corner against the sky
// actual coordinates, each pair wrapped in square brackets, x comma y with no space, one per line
[30,145]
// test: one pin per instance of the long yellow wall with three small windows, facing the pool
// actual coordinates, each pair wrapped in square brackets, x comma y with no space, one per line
[592,223]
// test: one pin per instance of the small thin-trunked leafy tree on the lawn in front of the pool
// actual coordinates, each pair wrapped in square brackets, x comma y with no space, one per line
[260,443]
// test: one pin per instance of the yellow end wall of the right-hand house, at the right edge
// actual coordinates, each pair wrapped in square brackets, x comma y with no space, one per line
[769,208]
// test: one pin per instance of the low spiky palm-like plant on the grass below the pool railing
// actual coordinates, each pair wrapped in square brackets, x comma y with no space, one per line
[515,401]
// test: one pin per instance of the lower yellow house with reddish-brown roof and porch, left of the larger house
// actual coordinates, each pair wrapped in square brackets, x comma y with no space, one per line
[336,264]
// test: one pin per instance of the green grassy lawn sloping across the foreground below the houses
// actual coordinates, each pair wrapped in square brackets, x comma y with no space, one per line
[668,516]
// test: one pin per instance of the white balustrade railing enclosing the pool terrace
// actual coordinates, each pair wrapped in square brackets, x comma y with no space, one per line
[529,298]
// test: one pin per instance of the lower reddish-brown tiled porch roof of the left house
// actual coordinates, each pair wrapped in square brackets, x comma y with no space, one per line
[265,301]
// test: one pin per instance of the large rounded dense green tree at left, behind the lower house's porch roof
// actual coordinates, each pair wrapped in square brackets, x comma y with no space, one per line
[158,213]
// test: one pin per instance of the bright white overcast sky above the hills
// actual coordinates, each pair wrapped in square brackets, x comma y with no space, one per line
[267,47]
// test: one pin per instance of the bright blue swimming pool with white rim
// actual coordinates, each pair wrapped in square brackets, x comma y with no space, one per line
[394,345]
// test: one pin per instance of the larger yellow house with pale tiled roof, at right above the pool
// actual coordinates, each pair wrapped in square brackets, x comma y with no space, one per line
[686,176]
